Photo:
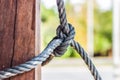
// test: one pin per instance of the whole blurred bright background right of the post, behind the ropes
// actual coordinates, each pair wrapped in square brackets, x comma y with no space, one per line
[97,26]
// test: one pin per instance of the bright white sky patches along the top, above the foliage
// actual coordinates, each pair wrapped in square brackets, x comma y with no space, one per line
[103,4]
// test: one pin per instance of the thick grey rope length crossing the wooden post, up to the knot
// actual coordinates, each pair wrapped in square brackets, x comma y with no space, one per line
[22,68]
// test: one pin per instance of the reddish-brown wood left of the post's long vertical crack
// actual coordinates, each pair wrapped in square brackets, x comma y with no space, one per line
[7,18]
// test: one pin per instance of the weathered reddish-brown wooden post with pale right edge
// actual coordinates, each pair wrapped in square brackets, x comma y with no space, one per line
[19,27]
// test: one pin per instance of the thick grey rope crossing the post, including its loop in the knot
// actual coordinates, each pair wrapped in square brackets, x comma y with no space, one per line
[53,47]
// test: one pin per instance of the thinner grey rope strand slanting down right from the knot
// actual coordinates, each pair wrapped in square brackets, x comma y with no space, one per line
[86,59]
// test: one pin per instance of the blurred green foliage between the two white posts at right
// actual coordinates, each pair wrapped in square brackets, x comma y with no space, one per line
[103,31]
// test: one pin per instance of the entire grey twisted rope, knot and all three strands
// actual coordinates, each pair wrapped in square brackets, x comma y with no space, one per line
[57,47]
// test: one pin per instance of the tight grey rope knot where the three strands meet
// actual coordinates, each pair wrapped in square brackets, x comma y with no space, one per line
[67,35]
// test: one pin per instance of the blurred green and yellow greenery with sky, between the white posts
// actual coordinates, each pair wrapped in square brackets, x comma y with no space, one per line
[77,15]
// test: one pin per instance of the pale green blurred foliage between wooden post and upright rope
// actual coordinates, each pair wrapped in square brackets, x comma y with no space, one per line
[49,24]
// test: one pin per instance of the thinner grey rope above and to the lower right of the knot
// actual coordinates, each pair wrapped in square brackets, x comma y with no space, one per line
[76,45]
